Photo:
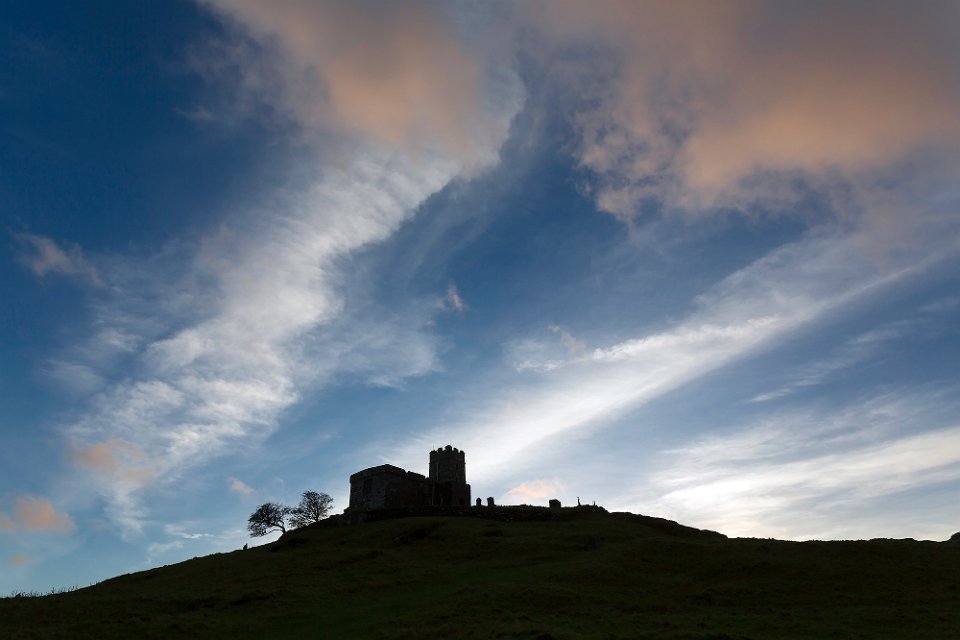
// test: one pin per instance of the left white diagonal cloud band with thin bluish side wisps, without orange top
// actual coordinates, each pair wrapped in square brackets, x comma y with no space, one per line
[225,337]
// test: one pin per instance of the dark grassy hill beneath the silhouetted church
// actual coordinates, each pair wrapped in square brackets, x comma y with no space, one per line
[582,573]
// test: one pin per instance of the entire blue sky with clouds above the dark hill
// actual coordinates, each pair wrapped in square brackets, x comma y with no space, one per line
[694,260]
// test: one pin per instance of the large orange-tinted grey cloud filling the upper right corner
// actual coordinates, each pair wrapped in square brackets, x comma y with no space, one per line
[709,95]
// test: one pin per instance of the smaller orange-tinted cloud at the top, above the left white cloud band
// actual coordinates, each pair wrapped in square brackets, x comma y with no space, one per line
[395,72]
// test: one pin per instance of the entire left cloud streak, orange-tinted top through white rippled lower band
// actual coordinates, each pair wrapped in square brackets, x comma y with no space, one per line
[226,333]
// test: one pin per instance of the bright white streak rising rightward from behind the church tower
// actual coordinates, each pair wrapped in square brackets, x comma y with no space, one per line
[752,309]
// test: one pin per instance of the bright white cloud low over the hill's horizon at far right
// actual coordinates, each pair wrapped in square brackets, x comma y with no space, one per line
[808,474]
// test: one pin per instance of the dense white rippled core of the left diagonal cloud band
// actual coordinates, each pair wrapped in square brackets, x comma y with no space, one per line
[224,376]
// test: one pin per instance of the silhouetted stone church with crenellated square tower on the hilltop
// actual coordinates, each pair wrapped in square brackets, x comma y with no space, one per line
[387,486]
